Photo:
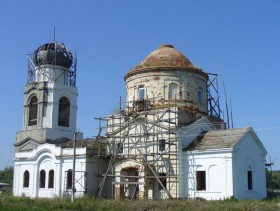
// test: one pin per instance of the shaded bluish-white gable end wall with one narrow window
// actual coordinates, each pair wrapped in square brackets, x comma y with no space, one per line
[249,155]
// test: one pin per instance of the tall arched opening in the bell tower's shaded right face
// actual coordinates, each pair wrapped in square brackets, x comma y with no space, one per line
[64,112]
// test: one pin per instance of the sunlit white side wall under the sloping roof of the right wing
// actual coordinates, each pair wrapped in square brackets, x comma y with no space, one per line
[217,165]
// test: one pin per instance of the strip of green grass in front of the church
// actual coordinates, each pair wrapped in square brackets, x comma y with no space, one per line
[86,203]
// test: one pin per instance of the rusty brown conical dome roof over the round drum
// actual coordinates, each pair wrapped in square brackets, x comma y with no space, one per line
[165,57]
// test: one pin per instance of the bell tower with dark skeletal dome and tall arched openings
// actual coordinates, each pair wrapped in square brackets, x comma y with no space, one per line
[50,97]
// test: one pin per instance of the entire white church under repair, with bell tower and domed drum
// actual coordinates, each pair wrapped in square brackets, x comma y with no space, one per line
[167,140]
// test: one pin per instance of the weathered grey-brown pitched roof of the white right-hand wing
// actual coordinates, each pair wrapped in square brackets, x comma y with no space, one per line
[217,139]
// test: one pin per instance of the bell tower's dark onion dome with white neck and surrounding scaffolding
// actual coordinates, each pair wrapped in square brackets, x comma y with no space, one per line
[53,56]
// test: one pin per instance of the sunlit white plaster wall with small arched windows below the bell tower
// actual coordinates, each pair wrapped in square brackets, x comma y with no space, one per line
[48,157]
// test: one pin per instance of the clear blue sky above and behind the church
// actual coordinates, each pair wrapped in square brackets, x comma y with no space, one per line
[240,37]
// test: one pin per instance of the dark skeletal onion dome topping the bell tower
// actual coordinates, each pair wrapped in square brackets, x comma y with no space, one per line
[53,53]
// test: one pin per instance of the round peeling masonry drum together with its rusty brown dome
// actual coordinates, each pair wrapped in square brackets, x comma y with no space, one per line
[166,77]
